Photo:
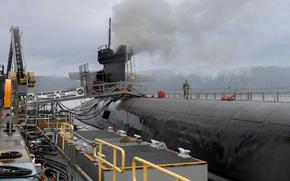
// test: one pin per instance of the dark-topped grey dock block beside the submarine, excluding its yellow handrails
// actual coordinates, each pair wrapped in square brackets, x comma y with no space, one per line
[81,155]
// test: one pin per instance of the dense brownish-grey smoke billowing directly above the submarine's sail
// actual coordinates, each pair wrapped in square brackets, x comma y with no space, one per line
[145,25]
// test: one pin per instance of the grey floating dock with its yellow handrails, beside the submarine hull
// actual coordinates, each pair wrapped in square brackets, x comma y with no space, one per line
[83,148]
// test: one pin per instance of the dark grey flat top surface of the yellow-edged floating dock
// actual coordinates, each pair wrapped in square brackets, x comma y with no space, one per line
[132,149]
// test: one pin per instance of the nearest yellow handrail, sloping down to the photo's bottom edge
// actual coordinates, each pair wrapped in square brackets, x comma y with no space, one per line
[147,164]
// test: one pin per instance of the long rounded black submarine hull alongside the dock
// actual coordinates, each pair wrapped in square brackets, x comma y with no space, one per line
[248,141]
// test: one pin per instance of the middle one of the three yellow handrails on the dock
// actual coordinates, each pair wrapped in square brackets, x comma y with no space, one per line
[114,166]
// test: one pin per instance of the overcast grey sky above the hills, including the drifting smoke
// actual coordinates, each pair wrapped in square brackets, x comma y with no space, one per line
[185,35]
